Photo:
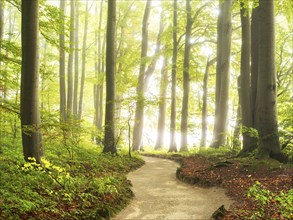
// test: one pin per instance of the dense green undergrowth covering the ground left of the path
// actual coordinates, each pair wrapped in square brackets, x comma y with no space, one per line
[92,185]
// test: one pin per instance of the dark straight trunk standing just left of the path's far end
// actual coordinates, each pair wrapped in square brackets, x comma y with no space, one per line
[109,140]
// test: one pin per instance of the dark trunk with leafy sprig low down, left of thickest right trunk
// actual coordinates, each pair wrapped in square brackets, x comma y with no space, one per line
[245,93]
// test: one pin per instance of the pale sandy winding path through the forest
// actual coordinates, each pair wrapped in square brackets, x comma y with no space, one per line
[159,195]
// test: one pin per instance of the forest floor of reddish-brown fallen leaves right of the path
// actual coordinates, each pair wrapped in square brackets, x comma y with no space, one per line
[262,188]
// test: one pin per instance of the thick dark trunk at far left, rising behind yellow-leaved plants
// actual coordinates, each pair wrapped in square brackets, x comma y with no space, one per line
[29,107]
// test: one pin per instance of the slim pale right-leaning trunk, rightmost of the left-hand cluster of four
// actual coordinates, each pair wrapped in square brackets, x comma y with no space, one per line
[83,62]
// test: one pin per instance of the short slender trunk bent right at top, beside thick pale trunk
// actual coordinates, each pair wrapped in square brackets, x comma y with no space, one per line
[204,113]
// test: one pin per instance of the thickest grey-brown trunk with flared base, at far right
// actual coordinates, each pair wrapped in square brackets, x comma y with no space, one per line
[266,106]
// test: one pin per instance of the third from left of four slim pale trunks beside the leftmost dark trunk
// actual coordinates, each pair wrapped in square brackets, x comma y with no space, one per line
[76,60]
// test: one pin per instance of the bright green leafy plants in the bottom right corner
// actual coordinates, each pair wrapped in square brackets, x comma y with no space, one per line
[268,202]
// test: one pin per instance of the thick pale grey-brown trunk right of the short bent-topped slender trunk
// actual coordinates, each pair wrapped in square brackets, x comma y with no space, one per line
[224,30]
